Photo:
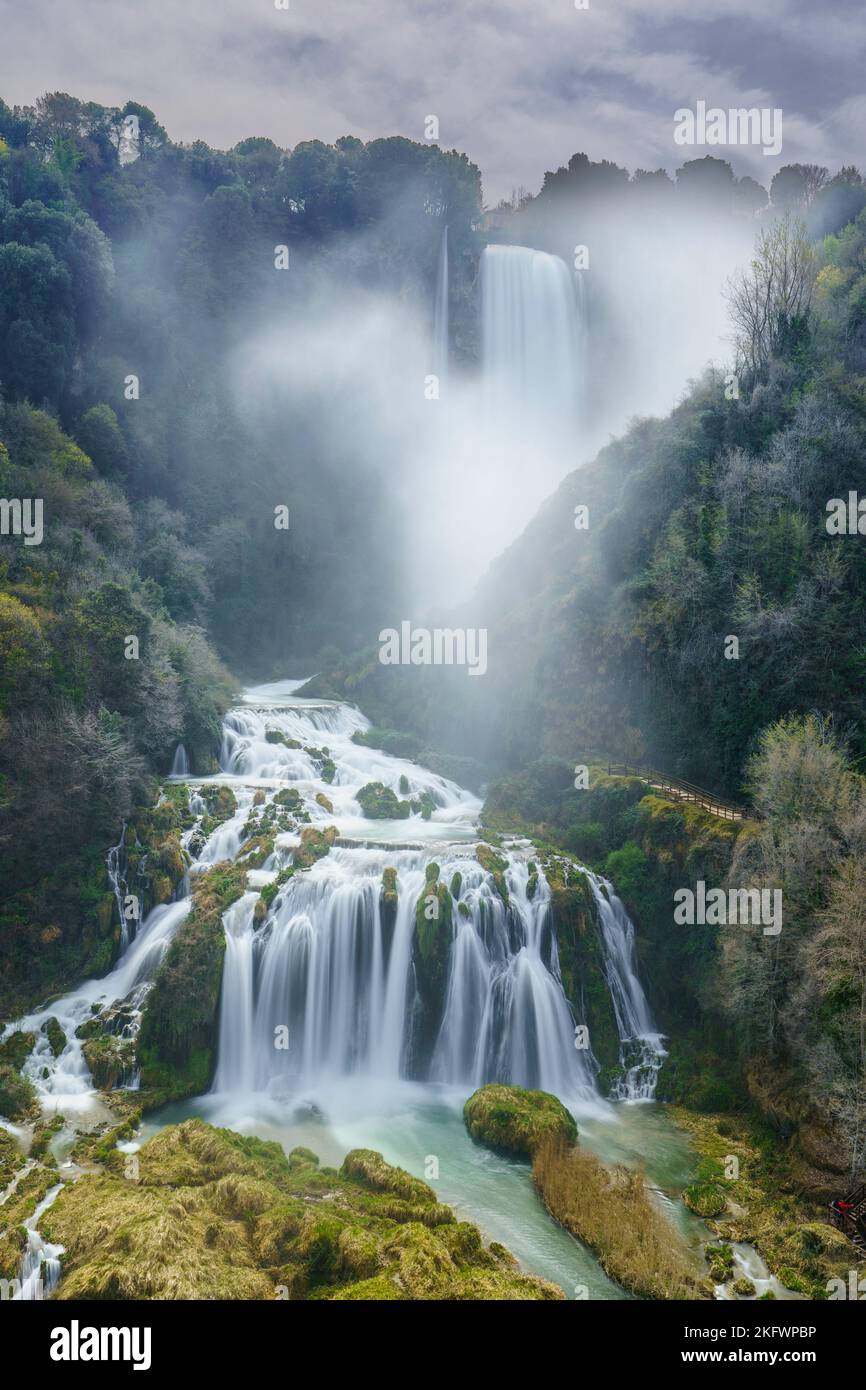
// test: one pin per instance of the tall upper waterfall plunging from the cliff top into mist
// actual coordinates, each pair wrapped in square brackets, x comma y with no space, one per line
[533,347]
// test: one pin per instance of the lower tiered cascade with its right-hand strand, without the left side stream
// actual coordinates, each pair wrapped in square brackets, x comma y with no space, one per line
[333,979]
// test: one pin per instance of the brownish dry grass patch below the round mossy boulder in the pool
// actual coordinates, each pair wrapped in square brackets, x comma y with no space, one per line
[611,1211]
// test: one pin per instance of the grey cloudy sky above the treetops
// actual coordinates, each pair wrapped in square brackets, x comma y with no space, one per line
[521,85]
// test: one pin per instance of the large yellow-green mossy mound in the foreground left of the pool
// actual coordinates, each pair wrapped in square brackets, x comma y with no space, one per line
[222,1217]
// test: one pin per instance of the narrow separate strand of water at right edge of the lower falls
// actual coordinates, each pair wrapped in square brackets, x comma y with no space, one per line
[642,1050]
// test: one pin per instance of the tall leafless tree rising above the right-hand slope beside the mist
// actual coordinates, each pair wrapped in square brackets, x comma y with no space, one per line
[774,295]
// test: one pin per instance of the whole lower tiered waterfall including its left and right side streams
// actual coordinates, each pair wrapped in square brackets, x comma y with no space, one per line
[327,985]
